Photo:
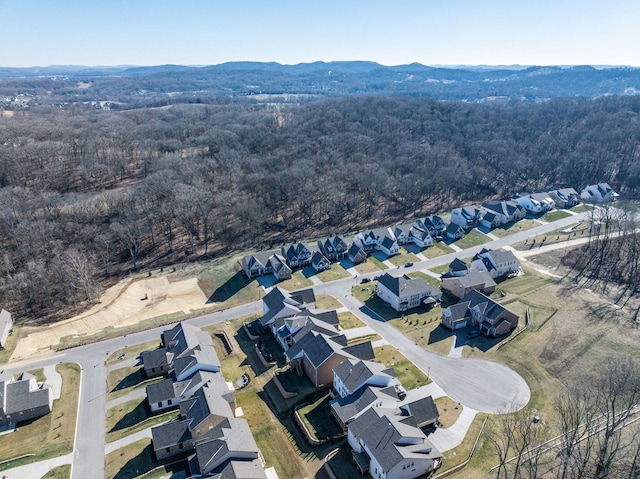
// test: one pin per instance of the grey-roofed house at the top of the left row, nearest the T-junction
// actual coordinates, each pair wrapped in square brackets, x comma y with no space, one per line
[185,349]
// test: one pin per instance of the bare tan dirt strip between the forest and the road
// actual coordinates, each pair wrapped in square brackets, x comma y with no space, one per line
[121,305]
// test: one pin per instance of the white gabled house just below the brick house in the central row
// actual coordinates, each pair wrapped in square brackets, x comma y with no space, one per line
[353,374]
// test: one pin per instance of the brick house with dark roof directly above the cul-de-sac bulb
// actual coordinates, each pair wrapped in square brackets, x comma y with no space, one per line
[476,309]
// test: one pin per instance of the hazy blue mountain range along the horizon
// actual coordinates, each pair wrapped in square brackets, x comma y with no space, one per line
[322,79]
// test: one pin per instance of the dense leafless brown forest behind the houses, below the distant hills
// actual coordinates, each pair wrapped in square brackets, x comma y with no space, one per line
[88,194]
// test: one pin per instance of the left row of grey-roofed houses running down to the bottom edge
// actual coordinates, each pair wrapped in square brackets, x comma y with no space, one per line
[216,442]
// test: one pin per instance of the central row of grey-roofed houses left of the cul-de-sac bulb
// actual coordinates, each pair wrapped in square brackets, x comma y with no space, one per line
[385,429]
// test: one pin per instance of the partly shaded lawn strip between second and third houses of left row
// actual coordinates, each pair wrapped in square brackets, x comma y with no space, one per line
[133,416]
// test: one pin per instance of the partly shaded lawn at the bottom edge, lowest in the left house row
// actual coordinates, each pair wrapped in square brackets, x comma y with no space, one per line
[135,461]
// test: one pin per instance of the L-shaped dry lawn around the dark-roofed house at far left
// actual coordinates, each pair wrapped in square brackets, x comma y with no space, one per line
[48,436]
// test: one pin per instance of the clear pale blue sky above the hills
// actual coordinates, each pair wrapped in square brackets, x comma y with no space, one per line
[208,32]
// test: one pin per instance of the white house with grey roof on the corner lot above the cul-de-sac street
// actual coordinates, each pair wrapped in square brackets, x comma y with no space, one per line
[403,292]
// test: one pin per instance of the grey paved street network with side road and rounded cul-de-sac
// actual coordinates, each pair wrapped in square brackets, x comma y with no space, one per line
[478,384]
